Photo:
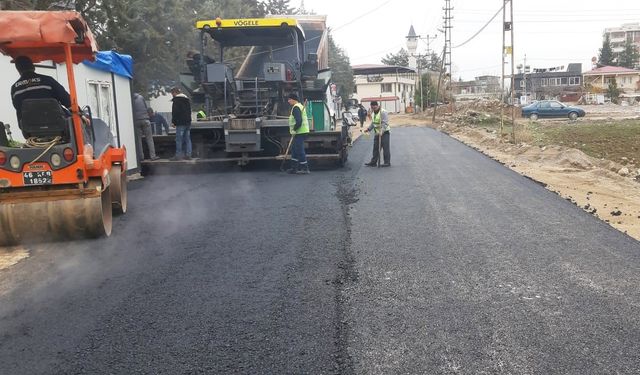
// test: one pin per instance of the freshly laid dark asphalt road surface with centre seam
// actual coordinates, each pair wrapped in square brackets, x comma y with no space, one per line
[445,263]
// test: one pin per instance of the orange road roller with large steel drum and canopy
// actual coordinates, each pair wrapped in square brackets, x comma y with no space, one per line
[68,178]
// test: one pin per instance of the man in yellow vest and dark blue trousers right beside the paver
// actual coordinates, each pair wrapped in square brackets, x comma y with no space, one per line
[298,128]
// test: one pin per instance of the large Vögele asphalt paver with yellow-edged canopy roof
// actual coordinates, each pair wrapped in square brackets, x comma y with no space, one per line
[246,112]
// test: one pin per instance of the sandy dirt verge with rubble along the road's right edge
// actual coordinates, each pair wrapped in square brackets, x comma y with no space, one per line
[609,190]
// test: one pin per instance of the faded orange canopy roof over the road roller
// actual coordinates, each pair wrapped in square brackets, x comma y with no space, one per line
[42,35]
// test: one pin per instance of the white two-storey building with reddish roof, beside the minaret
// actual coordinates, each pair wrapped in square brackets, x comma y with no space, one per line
[392,86]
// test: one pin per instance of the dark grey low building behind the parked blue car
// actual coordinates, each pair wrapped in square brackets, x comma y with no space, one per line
[550,83]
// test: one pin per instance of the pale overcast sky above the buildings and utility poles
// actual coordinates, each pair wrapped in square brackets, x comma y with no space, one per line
[549,32]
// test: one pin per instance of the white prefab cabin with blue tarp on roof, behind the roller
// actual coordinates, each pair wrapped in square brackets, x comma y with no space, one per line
[104,86]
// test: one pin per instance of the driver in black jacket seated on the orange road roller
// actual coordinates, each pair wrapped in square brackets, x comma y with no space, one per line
[32,85]
